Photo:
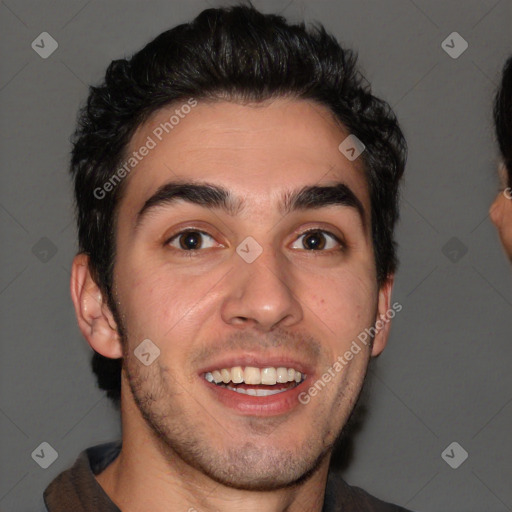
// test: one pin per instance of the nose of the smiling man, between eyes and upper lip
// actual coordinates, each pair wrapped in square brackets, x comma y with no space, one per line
[261,294]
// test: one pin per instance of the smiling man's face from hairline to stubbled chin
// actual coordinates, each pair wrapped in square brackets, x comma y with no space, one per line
[298,305]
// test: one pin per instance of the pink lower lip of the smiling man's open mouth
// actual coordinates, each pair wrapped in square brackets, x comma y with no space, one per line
[272,405]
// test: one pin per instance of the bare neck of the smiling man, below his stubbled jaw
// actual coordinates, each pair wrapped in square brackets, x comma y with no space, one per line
[147,477]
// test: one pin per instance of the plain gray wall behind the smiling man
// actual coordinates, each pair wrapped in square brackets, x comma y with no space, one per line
[445,375]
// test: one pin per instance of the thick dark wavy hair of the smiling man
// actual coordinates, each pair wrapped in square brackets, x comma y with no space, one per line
[226,54]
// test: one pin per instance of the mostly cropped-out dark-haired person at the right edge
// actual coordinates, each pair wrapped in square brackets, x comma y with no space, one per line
[501,209]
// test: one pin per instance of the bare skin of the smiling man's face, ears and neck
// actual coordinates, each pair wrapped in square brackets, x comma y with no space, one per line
[182,448]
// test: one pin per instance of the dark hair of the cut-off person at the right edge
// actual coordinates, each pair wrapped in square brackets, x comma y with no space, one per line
[503,117]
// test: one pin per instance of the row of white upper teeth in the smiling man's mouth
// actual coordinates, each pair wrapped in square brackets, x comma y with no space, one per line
[252,375]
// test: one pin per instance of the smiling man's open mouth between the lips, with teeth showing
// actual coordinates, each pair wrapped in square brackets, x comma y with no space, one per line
[255,381]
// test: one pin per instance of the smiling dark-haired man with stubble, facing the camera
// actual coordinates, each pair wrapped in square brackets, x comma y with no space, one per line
[236,187]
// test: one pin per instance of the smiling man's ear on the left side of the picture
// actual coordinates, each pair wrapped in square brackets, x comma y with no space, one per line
[95,319]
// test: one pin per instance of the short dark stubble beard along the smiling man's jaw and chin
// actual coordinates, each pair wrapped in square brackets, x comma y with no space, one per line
[250,465]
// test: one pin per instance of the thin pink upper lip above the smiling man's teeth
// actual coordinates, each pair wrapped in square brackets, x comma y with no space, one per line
[258,361]
